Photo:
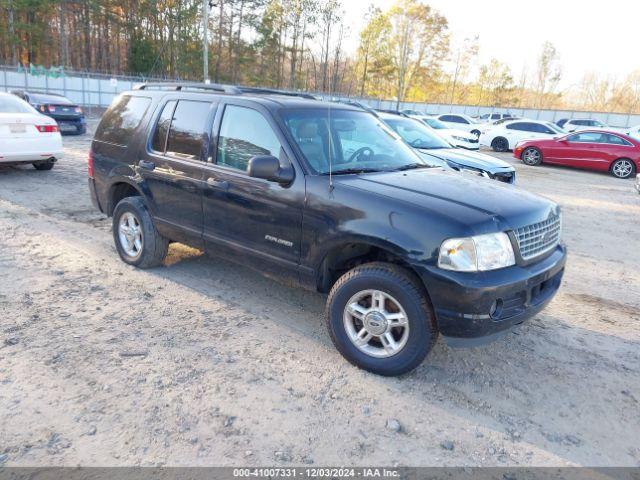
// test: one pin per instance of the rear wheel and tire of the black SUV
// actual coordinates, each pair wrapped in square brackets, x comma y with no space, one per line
[137,240]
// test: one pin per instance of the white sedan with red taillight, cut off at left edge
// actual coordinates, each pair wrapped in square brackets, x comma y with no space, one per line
[27,136]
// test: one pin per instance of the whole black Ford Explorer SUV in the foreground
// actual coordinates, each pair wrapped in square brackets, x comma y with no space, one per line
[325,196]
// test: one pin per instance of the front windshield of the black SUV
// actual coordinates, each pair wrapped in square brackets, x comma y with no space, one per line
[350,141]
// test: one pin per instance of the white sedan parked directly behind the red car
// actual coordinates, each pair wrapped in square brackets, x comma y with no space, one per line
[506,135]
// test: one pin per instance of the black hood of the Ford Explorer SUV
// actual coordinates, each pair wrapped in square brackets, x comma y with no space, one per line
[476,205]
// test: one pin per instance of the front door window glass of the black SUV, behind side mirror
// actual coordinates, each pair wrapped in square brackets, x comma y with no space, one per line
[245,133]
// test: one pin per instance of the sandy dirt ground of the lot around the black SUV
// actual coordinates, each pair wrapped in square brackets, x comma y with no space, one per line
[203,362]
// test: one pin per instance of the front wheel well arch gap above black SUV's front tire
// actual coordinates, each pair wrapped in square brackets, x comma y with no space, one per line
[342,259]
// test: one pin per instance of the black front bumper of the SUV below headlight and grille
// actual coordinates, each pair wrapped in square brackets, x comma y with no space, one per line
[484,304]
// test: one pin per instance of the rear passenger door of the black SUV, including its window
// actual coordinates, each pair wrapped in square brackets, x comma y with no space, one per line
[172,166]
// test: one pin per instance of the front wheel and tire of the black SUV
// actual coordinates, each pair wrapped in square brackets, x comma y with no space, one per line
[380,319]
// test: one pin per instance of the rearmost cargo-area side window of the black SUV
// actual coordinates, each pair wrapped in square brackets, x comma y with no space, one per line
[122,119]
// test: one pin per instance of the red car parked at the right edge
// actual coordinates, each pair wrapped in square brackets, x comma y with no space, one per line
[591,149]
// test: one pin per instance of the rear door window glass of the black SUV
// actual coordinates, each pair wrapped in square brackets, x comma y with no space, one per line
[180,131]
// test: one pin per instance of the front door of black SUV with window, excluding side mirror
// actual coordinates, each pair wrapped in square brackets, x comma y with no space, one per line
[259,219]
